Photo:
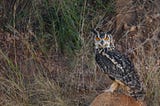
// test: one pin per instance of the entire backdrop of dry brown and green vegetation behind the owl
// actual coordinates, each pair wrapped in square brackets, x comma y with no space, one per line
[48,59]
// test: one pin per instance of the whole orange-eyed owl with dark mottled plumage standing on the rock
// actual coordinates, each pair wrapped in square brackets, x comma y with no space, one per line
[117,66]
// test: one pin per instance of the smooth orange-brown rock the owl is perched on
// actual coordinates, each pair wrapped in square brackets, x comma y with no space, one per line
[114,99]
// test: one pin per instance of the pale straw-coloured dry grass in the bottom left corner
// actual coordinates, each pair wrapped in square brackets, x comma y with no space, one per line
[18,89]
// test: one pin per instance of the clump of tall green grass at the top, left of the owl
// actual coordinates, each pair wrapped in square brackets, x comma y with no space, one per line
[58,23]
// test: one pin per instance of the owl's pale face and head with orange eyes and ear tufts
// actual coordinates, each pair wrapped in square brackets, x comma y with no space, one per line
[103,40]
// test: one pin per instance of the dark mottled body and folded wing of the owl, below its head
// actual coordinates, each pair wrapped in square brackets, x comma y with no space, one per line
[119,67]
